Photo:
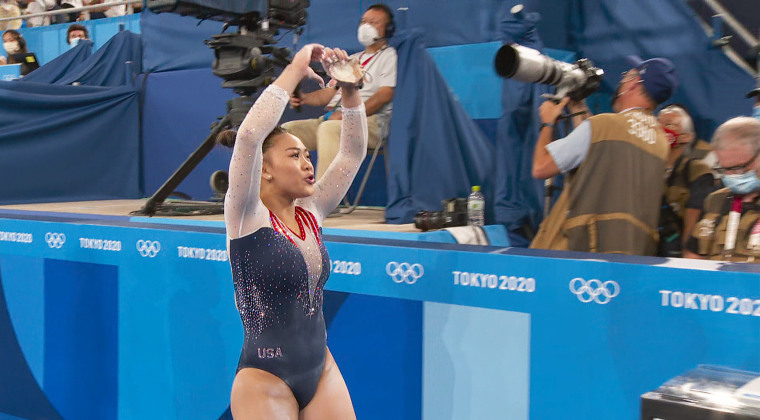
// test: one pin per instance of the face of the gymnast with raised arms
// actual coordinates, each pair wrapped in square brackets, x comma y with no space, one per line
[287,167]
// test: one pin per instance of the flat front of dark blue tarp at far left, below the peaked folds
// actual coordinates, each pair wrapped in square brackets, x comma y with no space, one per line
[67,143]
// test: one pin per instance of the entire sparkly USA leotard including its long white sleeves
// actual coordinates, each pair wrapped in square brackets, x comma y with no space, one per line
[279,274]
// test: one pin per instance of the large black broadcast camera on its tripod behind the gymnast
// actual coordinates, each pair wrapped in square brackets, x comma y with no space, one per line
[246,59]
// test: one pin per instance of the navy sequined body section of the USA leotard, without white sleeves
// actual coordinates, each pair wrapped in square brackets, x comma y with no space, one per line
[281,313]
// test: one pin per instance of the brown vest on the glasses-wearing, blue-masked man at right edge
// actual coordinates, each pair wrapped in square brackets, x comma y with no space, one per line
[710,231]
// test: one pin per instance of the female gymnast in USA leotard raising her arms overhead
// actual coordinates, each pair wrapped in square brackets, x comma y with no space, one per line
[273,213]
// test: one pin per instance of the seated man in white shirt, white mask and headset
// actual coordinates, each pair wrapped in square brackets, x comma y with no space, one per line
[379,62]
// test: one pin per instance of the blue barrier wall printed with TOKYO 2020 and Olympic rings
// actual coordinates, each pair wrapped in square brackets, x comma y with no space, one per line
[437,331]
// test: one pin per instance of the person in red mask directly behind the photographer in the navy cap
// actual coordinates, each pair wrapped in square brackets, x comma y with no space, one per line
[688,181]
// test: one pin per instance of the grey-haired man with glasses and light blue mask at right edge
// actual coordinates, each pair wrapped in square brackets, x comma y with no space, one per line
[730,225]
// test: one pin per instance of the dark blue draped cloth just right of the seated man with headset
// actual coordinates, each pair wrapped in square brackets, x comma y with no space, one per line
[435,149]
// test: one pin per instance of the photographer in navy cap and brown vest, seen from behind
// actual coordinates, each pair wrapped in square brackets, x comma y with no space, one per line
[614,165]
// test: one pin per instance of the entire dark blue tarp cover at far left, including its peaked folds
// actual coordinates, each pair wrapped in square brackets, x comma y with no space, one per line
[66,143]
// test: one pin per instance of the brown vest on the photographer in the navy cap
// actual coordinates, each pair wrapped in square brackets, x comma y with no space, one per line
[611,202]
